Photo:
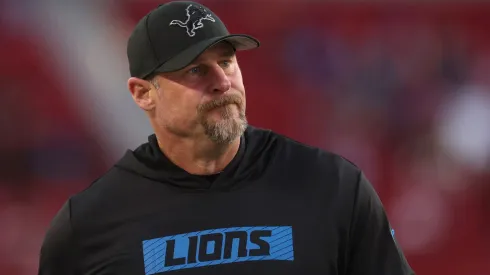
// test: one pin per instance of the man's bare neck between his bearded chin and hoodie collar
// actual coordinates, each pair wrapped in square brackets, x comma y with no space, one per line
[198,157]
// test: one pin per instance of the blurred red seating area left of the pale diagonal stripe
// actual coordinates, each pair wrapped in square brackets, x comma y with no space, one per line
[46,152]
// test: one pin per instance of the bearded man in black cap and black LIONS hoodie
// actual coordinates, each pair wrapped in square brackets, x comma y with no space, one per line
[208,194]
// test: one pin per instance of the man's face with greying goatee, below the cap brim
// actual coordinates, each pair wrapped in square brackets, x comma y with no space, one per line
[207,97]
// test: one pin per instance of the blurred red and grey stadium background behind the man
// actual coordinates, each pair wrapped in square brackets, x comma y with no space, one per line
[401,89]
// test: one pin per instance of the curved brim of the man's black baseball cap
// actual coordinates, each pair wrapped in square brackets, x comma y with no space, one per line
[239,41]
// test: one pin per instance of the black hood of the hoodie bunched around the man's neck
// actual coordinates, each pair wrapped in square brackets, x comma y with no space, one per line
[257,147]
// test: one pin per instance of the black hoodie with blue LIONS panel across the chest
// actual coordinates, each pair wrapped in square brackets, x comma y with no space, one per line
[280,207]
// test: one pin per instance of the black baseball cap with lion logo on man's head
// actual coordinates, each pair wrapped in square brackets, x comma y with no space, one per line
[174,34]
